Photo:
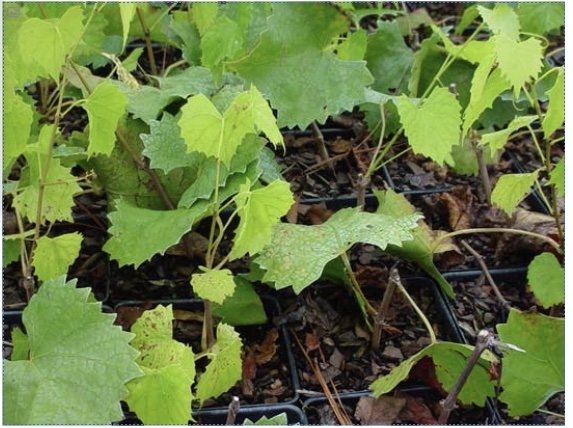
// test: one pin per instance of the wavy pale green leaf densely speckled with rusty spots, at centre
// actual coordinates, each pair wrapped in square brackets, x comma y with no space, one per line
[298,254]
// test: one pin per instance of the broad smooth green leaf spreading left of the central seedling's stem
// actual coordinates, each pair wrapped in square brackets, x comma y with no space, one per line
[128,245]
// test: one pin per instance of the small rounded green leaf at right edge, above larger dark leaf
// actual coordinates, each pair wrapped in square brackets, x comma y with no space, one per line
[546,277]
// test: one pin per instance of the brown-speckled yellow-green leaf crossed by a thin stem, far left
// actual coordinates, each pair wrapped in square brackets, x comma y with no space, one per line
[58,197]
